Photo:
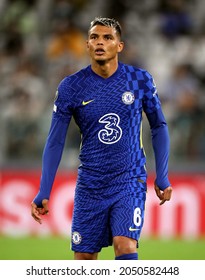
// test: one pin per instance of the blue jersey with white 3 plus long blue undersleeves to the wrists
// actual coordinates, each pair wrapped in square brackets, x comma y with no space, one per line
[108,113]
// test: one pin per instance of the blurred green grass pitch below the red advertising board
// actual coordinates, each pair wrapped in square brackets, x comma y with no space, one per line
[58,248]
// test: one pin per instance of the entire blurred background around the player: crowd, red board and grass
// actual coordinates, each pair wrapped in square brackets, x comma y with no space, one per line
[40,43]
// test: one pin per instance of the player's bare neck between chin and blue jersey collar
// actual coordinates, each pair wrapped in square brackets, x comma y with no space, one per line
[106,69]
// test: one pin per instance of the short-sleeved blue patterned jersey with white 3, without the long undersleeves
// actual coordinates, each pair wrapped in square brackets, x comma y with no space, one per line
[109,115]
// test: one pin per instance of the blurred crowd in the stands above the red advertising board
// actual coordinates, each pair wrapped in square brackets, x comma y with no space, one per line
[43,41]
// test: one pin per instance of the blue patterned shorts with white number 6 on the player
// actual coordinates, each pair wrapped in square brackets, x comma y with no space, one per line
[97,219]
